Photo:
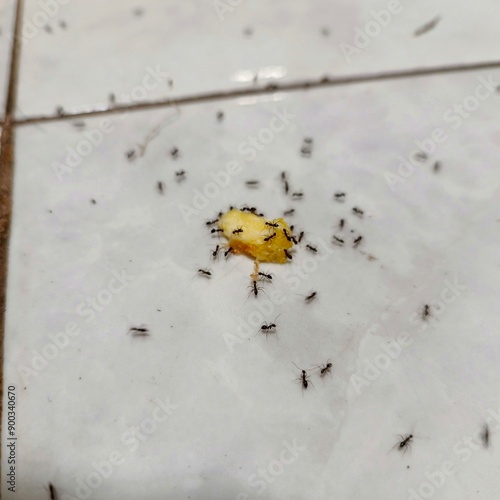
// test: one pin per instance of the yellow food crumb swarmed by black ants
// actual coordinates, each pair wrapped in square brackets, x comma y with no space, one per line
[257,237]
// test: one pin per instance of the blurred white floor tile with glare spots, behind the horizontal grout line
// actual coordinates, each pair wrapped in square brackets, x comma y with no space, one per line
[79,53]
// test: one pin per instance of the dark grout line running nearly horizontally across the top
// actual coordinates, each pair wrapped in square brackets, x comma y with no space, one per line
[269,89]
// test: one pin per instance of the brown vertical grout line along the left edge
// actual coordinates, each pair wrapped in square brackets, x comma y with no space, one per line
[6,184]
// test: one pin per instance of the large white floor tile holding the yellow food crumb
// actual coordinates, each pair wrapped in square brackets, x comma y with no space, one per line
[207,407]
